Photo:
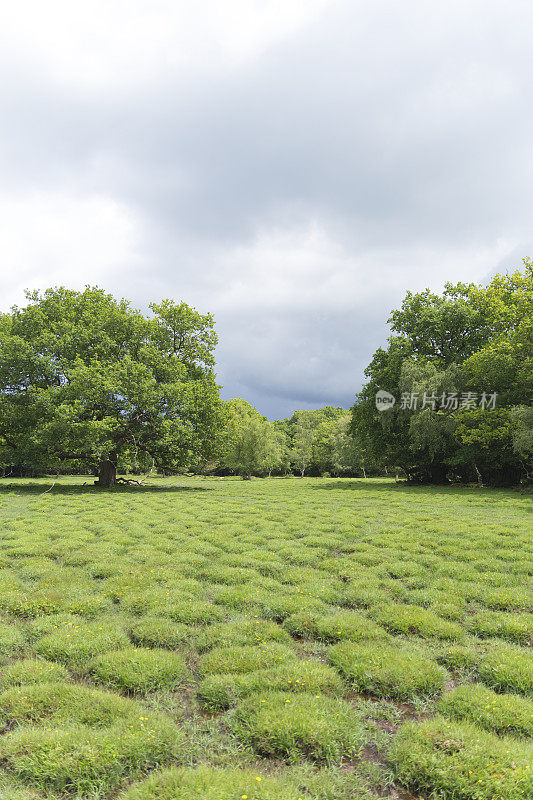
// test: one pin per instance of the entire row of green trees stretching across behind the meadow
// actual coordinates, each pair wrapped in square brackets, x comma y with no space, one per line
[90,384]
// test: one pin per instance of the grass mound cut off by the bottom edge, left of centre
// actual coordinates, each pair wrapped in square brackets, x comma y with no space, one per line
[213,784]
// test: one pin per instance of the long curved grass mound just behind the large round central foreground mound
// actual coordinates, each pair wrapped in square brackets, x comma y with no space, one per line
[217,692]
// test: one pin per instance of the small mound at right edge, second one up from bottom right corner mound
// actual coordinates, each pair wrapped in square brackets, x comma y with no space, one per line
[507,667]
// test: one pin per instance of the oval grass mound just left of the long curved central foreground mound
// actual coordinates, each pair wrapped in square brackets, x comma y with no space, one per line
[137,669]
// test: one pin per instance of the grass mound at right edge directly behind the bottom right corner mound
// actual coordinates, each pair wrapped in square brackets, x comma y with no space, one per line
[502,713]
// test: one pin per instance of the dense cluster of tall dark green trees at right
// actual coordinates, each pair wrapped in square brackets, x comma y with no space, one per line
[460,367]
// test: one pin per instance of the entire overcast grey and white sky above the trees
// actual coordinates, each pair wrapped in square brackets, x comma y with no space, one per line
[292,166]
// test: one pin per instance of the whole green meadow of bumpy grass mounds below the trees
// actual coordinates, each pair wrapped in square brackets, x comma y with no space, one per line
[272,639]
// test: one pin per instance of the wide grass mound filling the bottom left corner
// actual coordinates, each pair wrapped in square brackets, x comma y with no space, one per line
[82,761]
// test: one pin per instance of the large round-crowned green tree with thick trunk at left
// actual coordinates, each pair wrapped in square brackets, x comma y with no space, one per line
[85,377]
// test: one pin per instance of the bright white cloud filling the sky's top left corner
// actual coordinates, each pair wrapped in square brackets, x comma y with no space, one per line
[107,45]
